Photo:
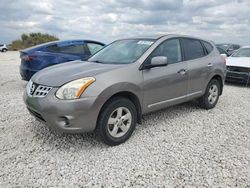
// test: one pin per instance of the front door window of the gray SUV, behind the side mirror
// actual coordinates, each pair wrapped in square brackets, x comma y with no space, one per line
[170,48]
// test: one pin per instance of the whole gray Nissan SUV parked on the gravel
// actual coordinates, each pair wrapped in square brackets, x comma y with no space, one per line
[111,91]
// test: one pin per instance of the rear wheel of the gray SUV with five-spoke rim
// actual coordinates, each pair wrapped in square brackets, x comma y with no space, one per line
[205,101]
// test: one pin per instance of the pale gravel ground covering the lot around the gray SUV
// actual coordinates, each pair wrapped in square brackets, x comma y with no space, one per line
[180,146]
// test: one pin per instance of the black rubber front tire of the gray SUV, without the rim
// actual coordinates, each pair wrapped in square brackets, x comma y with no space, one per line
[109,109]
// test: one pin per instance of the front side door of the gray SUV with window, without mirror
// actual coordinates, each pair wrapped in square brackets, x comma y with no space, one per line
[165,86]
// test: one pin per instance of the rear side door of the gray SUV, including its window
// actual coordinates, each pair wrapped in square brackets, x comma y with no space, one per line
[199,65]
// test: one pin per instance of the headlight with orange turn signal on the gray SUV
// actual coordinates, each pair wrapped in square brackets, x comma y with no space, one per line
[74,89]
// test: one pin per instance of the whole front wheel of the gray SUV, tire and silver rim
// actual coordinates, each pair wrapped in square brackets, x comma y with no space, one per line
[117,121]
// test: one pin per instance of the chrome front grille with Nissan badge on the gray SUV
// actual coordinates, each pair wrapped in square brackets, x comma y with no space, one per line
[36,90]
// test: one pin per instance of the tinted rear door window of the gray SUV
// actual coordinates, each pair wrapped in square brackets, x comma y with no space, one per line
[192,49]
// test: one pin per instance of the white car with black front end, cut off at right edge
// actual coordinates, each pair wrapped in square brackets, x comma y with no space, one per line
[238,66]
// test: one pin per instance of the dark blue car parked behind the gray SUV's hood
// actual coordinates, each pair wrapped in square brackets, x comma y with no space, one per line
[41,56]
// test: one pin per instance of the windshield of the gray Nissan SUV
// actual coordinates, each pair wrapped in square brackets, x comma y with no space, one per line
[122,51]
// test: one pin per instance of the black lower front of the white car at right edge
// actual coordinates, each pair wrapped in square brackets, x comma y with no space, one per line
[240,77]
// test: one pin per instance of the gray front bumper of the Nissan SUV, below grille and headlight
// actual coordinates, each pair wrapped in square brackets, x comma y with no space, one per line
[70,116]
